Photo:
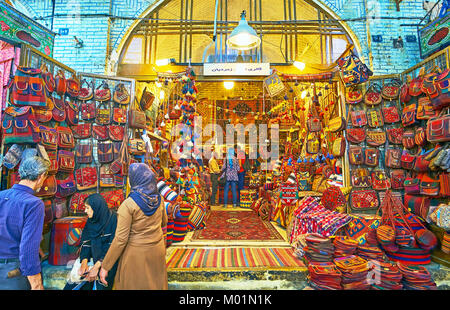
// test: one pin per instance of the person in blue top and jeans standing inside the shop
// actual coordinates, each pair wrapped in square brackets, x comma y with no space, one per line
[230,171]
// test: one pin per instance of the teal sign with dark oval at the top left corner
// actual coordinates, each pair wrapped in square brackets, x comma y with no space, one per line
[15,26]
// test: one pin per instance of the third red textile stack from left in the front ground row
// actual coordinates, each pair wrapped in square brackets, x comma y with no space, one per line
[386,276]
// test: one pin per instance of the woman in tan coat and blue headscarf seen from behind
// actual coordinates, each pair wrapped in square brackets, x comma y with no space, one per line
[139,243]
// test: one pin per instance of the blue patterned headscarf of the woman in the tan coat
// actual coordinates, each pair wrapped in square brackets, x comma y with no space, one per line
[143,188]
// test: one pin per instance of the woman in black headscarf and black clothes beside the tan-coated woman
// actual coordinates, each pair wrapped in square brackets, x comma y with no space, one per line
[96,239]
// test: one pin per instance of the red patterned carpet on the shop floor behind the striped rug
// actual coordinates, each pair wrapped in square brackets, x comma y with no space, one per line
[236,225]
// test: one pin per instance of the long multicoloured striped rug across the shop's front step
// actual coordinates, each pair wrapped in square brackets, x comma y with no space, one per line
[233,258]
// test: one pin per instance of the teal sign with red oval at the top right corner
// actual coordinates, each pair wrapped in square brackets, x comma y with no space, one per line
[435,36]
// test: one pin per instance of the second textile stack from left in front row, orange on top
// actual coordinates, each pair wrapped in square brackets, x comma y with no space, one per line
[354,271]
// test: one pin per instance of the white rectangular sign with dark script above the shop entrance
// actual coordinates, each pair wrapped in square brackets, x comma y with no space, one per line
[235,69]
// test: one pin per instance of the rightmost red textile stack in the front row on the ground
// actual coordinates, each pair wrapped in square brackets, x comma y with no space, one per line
[416,277]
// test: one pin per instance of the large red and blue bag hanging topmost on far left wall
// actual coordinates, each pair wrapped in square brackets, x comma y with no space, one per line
[27,88]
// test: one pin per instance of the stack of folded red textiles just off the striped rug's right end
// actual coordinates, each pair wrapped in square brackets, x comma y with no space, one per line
[318,249]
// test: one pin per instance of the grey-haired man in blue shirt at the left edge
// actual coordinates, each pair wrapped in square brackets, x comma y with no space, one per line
[21,224]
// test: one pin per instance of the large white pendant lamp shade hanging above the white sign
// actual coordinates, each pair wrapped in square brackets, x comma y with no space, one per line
[243,37]
